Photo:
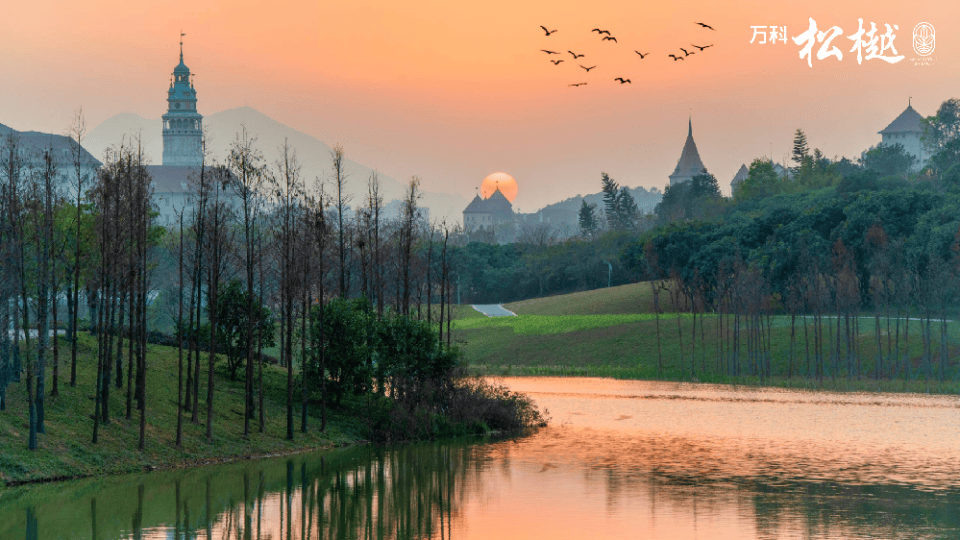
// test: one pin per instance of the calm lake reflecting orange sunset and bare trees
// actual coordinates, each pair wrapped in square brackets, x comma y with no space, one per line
[621,459]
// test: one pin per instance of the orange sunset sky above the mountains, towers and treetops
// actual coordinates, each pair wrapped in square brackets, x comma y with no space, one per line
[453,91]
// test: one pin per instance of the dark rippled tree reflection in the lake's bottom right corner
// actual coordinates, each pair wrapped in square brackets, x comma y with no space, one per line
[788,509]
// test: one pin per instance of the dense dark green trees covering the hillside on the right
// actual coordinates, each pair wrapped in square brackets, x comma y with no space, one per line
[831,245]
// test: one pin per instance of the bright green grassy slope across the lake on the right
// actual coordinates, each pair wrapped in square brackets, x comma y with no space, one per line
[565,335]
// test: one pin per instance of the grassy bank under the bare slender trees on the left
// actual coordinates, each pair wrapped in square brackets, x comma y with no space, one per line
[65,449]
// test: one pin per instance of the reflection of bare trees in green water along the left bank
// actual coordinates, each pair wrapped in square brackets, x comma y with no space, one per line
[412,491]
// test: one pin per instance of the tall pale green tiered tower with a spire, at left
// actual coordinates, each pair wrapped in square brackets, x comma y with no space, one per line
[182,124]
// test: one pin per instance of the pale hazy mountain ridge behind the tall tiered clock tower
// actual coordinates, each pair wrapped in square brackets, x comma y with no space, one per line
[313,154]
